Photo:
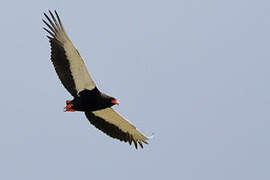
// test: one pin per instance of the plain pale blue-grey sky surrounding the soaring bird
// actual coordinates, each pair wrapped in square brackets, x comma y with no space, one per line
[193,72]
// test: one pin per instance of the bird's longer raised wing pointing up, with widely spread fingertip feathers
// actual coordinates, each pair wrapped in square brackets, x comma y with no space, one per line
[67,61]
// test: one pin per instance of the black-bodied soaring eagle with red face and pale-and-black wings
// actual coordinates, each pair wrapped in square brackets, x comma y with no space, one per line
[87,98]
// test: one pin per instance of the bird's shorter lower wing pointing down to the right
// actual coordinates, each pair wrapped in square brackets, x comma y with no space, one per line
[114,125]
